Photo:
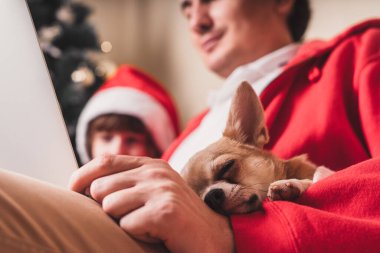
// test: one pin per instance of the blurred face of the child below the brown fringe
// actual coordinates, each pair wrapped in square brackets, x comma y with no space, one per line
[119,143]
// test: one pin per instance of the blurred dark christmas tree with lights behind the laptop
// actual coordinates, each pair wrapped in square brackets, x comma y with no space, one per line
[68,41]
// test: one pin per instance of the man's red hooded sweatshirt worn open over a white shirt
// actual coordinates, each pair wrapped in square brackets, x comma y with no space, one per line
[326,103]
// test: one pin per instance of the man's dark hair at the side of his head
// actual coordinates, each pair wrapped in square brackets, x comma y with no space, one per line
[298,19]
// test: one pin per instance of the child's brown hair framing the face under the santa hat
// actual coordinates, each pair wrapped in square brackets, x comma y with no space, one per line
[120,122]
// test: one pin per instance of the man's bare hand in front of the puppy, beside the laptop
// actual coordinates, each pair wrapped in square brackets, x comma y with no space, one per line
[153,203]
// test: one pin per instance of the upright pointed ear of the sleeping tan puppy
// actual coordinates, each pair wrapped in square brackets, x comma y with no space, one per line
[246,123]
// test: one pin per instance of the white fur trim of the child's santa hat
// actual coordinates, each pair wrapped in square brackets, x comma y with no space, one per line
[127,101]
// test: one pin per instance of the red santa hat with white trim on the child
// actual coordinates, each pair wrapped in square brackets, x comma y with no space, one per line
[131,92]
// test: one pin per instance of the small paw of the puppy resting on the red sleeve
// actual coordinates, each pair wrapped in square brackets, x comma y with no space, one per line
[288,189]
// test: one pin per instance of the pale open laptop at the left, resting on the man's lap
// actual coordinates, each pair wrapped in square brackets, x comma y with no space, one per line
[33,136]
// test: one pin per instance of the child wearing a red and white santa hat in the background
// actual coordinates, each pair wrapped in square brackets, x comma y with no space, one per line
[130,114]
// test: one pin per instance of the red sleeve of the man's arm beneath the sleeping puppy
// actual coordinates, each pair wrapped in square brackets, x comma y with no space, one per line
[338,214]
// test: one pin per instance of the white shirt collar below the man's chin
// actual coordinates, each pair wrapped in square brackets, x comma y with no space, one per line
[252,72]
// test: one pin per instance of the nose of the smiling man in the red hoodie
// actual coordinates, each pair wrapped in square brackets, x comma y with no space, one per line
[200,20]
